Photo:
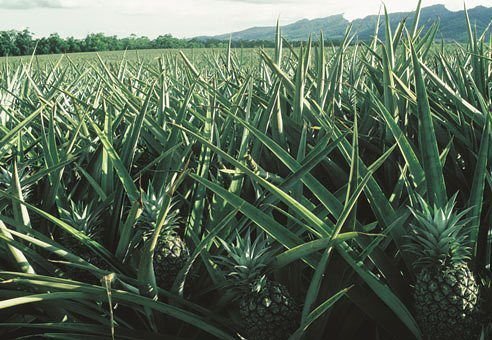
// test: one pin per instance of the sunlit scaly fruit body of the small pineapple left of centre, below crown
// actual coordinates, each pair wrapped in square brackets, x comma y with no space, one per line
[170,256]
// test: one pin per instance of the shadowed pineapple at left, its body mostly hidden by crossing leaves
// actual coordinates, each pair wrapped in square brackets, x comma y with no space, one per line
[86,221]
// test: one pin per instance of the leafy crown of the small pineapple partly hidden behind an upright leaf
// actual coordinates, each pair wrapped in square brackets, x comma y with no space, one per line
[152,204]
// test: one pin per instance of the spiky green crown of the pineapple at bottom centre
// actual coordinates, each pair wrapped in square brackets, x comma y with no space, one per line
[247,260]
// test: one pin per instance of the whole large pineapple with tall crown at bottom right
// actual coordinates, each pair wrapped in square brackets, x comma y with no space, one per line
[446,293]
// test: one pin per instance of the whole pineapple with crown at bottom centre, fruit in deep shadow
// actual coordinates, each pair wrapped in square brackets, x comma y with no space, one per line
[266,309]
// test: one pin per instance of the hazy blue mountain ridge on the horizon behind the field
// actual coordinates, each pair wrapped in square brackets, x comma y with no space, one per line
[452,25]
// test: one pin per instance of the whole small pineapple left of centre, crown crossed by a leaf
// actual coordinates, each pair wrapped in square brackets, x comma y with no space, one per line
[171,252]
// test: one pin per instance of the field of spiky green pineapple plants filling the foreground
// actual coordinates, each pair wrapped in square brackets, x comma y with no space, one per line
[321,192]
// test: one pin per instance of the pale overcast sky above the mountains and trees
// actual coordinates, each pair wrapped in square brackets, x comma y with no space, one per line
[184,18]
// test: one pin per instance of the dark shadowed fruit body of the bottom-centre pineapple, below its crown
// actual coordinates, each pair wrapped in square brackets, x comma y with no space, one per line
[269,313]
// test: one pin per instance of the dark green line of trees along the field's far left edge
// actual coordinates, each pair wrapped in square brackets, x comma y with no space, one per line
[16,43]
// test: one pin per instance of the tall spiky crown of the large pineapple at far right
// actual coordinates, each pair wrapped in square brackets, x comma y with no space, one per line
[437,237]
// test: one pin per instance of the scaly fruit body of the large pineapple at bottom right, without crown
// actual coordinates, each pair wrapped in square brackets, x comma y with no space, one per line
[446,303]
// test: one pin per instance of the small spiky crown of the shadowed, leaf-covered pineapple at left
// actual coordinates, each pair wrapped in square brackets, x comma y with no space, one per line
[82,217]
